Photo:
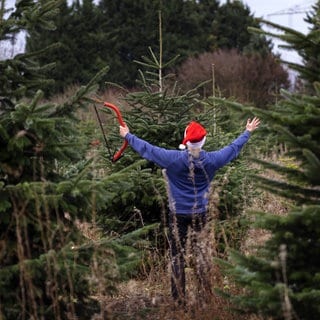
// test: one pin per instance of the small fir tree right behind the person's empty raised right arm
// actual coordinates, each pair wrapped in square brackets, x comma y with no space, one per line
[232,182]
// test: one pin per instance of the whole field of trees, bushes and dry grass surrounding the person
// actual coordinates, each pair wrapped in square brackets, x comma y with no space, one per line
[82,237]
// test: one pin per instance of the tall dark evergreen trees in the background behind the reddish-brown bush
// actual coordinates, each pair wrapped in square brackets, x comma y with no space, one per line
[92,36]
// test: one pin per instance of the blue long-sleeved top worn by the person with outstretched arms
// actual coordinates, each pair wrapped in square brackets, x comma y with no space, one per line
[188,178]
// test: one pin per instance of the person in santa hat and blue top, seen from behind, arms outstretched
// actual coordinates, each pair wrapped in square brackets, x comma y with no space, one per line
[189,174]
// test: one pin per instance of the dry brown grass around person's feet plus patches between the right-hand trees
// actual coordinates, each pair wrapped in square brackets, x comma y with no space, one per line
[149,297]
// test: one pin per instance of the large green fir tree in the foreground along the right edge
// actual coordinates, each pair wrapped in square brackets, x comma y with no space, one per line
[281,278]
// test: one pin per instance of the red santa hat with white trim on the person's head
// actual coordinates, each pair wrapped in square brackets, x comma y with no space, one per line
[194,136]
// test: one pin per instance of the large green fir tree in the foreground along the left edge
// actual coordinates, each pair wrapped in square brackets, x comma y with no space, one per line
[50,267]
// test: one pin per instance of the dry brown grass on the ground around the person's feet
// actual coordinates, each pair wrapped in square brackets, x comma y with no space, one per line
[149,296]
